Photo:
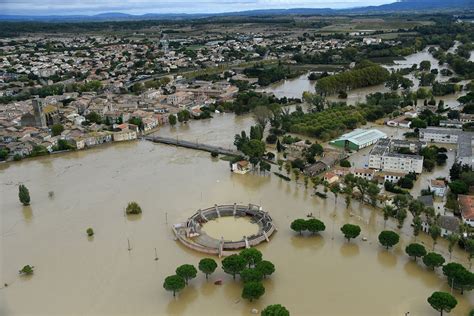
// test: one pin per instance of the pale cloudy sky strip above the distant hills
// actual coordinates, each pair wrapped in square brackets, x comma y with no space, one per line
[90,7]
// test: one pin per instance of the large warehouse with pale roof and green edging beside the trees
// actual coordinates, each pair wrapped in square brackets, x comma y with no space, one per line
[358,139]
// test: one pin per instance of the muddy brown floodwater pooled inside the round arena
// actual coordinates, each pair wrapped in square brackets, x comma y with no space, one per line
[230,228]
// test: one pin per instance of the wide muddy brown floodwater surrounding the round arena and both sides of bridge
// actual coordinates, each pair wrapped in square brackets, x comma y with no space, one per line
[77,275]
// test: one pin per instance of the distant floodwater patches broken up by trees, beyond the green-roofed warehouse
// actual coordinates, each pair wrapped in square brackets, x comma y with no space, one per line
[294,88]
